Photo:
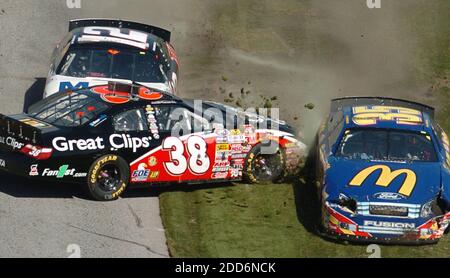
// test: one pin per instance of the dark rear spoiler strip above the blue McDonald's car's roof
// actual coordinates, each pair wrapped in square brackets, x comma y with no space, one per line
[338,103]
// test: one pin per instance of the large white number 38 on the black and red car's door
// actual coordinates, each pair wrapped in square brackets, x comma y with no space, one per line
[198,161]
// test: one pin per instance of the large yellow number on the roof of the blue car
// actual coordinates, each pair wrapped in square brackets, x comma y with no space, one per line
[371,115]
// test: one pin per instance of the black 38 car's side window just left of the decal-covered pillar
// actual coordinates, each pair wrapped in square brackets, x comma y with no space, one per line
[132,120]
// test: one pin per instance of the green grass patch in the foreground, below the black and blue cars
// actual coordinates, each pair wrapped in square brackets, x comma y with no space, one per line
[259,221]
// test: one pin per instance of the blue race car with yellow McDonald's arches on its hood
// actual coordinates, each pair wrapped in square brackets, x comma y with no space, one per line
[383,172]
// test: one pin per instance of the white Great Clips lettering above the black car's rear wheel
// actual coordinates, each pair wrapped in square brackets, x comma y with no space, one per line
[117,141]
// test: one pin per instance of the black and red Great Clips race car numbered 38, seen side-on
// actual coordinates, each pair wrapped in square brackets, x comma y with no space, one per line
[108,136]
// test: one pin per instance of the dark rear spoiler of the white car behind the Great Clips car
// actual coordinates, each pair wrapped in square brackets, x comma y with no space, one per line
[159,32]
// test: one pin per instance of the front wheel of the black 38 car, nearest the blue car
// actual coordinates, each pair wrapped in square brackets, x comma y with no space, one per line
[252,172]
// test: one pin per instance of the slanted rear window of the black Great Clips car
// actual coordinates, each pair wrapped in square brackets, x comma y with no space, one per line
[68,109]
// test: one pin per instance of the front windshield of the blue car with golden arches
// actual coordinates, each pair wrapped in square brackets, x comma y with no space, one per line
[386,145]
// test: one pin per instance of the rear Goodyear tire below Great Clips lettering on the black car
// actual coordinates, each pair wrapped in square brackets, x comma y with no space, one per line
[107,178]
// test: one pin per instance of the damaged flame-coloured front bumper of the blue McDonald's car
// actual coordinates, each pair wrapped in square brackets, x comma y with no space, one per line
[338,226]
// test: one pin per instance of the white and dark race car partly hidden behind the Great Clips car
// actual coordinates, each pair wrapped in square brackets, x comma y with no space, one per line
[96,51]
